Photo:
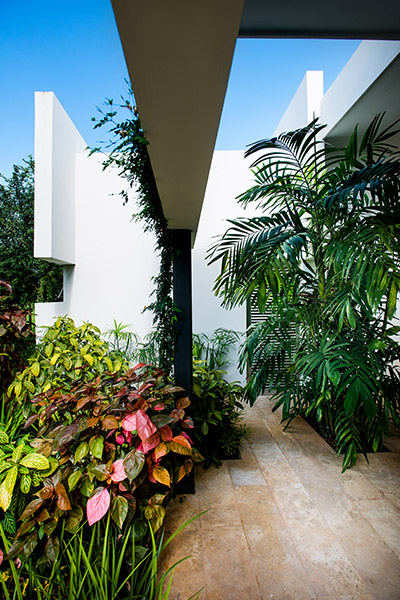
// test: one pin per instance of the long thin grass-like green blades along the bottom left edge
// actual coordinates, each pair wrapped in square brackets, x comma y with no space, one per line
[103,565]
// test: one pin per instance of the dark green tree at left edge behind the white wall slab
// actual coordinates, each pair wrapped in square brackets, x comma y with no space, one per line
[32,280]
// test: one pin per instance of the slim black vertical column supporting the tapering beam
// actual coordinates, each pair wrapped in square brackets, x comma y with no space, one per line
[182,275]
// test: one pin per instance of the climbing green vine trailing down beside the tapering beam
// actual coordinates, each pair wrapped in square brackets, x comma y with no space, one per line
[127,150]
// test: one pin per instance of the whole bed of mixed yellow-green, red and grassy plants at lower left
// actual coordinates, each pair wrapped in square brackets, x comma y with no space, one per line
[89,454]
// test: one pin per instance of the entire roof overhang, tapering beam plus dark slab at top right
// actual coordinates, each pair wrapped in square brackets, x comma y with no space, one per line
[179,55]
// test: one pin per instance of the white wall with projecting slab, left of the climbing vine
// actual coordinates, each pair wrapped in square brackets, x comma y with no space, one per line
[80,222]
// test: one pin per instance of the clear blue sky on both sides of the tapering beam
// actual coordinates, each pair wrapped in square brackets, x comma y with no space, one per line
[72,48]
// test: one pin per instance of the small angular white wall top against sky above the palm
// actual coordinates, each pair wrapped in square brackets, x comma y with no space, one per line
[305,104]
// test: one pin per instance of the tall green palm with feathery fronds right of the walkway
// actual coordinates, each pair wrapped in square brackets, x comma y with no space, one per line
[326,255]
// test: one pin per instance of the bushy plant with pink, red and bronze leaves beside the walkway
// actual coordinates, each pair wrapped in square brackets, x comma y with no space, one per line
[121,443]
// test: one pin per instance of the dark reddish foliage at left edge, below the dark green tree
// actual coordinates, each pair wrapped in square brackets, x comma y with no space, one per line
[16,338]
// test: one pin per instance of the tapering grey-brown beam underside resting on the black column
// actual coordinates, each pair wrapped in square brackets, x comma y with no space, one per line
[179,56]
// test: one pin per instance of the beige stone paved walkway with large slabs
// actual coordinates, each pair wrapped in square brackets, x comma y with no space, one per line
[284,523]
